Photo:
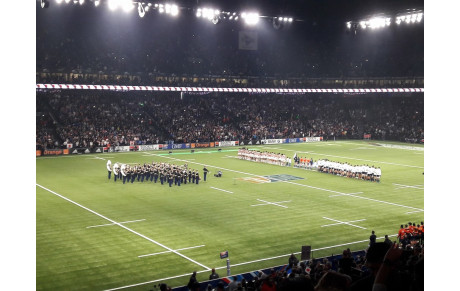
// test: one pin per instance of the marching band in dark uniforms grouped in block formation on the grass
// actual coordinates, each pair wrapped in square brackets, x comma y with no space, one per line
[163,172]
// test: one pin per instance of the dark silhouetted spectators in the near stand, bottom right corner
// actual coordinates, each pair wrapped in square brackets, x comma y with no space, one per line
[387,265]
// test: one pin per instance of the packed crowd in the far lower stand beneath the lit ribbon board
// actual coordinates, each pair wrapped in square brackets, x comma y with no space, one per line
[94,118]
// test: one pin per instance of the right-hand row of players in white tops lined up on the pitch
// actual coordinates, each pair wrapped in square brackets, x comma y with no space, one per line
[363,172]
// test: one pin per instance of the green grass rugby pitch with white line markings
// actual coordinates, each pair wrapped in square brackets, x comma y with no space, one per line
[185,228]
